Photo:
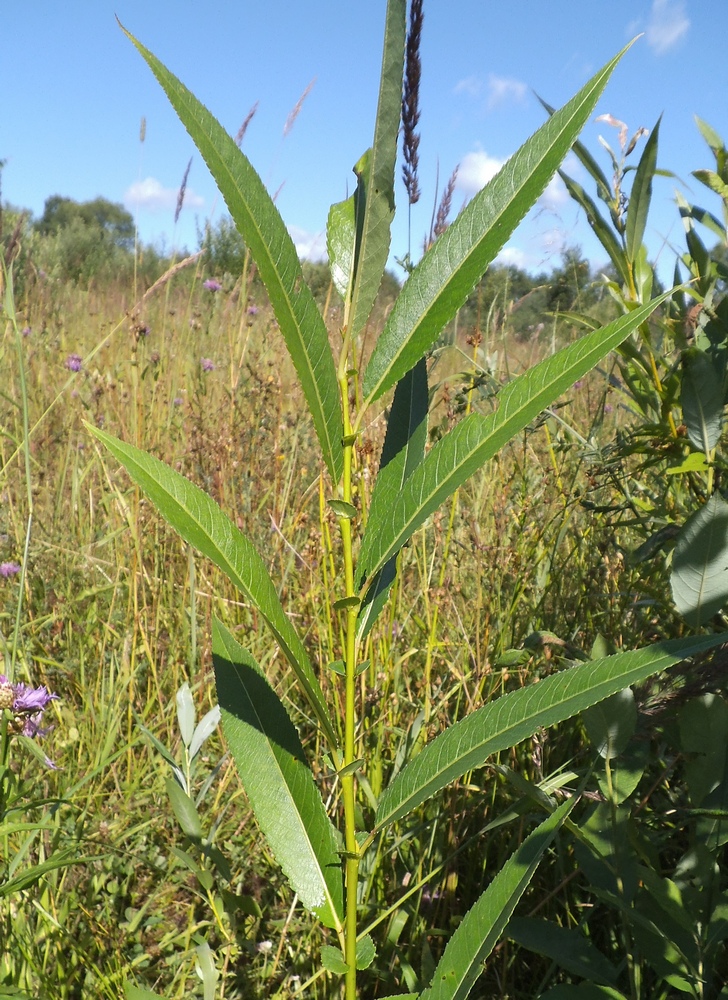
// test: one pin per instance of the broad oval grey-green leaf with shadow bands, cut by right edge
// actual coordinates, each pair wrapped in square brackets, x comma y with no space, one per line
[699,577]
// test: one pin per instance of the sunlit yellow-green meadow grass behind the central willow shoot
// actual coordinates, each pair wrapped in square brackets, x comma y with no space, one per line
[503,584]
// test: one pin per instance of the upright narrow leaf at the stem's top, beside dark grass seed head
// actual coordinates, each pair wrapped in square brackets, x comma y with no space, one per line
[375,174]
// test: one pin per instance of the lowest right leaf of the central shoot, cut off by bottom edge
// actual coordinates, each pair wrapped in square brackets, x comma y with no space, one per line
[477,934]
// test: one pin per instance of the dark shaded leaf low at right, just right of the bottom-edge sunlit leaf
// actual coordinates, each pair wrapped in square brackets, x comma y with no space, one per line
[569,948]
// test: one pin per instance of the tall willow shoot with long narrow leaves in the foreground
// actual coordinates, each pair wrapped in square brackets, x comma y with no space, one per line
[320,853]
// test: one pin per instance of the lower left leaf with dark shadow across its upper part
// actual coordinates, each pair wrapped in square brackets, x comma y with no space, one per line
[277,780]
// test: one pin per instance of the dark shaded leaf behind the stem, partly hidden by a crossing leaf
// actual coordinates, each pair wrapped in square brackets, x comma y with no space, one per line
[403,450]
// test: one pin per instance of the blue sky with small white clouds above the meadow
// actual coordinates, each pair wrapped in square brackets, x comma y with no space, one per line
[76,91]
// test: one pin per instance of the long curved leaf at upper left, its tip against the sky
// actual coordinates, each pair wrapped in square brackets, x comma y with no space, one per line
[265,234]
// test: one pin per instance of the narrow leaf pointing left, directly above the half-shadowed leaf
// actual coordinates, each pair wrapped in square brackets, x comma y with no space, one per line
[201,522]
